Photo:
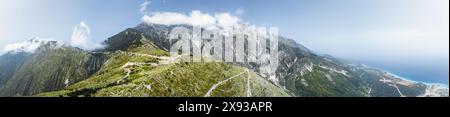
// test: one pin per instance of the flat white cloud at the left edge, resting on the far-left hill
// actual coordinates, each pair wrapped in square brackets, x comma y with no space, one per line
[29,46]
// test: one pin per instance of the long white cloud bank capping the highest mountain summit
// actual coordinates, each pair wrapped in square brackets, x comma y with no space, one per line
[196,18]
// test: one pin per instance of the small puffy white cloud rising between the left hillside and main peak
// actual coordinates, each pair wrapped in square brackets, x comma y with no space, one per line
[81,37]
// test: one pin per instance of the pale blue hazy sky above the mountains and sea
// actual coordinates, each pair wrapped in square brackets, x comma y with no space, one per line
[352,29]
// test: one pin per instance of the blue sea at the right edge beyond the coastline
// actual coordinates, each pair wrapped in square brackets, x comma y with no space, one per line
[422,70]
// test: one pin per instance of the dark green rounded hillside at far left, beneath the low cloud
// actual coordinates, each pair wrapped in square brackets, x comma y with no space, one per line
[49,70]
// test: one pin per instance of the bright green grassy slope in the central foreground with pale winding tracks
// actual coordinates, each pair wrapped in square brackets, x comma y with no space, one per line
[177,79]
